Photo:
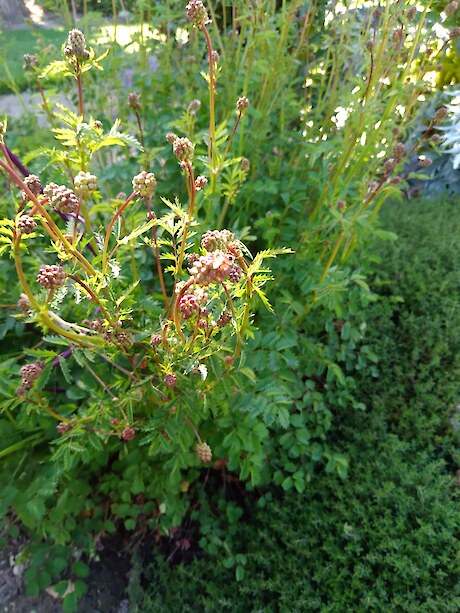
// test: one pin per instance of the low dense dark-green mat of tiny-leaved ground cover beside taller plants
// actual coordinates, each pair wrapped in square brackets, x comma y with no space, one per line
[386,538]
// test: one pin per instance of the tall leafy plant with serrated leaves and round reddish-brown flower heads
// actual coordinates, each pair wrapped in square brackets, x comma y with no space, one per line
[318,141]
